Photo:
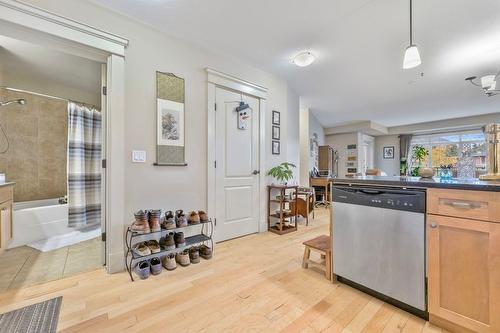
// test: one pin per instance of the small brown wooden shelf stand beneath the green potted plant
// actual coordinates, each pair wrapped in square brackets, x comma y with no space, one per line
[282,220]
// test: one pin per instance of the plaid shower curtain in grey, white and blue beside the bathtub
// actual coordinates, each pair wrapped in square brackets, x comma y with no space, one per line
[84,165]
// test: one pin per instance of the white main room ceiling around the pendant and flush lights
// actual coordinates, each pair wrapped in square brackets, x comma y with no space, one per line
[359,46]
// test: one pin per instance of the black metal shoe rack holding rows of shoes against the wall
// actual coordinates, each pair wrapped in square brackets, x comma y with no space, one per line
[132,238]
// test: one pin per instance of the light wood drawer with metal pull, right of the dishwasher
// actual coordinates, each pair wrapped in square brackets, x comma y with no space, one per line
[478,205]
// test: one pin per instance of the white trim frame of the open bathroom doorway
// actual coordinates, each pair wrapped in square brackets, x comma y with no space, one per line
[30,23]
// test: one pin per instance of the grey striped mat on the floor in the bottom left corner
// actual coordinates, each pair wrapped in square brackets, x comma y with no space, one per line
[36,318]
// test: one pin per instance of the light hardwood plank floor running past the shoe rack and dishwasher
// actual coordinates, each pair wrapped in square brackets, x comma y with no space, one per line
[253,284]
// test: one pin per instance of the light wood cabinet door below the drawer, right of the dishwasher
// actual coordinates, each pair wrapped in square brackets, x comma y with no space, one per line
[464,272]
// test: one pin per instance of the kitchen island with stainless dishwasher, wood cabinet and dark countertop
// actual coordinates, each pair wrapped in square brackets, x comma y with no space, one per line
[453,233]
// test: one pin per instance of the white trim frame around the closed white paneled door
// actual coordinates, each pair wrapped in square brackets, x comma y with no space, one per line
[216,79]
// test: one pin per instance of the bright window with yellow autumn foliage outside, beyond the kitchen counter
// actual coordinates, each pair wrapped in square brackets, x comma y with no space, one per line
[465,151]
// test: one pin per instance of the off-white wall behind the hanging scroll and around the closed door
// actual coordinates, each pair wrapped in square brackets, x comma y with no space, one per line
[150,51]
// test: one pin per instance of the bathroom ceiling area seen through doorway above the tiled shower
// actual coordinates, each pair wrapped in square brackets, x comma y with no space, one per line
[43,70]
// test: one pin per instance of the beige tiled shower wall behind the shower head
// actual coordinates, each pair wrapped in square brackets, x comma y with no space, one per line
[37,135]
